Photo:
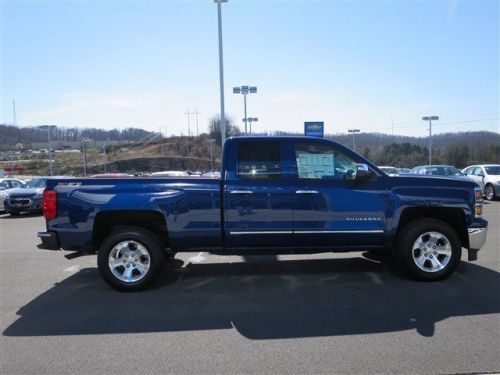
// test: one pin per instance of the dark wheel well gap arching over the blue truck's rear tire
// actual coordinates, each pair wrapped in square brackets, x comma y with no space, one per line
[106,222]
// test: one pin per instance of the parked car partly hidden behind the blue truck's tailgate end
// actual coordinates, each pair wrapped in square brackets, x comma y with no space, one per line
[27,198]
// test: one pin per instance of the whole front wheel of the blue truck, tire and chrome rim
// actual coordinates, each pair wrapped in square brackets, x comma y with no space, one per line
[430,249]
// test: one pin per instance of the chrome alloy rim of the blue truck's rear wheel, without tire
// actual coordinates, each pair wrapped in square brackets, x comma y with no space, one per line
[129,261]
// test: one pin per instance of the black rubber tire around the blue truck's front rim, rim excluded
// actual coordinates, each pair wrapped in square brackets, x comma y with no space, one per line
[409,235]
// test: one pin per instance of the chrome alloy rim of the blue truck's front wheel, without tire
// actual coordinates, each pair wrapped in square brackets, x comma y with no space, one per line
[431,251]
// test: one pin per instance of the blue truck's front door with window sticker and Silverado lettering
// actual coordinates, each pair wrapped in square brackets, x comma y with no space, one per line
[330,207]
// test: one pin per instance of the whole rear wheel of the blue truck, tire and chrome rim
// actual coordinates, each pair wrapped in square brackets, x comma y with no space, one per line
[129,258]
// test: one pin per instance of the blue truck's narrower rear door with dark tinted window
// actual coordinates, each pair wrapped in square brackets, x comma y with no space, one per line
[257,196]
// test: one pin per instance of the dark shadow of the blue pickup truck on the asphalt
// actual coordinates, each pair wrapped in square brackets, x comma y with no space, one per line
[270,300]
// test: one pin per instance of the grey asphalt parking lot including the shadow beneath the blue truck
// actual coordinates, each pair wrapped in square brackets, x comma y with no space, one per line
[326,313]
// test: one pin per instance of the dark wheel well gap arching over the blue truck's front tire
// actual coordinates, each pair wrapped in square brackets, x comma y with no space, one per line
[454,217]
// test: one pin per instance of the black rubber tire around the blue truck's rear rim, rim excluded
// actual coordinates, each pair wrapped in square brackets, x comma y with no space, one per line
[138,235]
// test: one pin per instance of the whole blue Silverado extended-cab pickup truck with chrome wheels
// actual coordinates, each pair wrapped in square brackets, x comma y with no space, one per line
[276,195]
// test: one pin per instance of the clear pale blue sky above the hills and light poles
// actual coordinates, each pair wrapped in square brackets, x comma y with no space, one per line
[350,64]
